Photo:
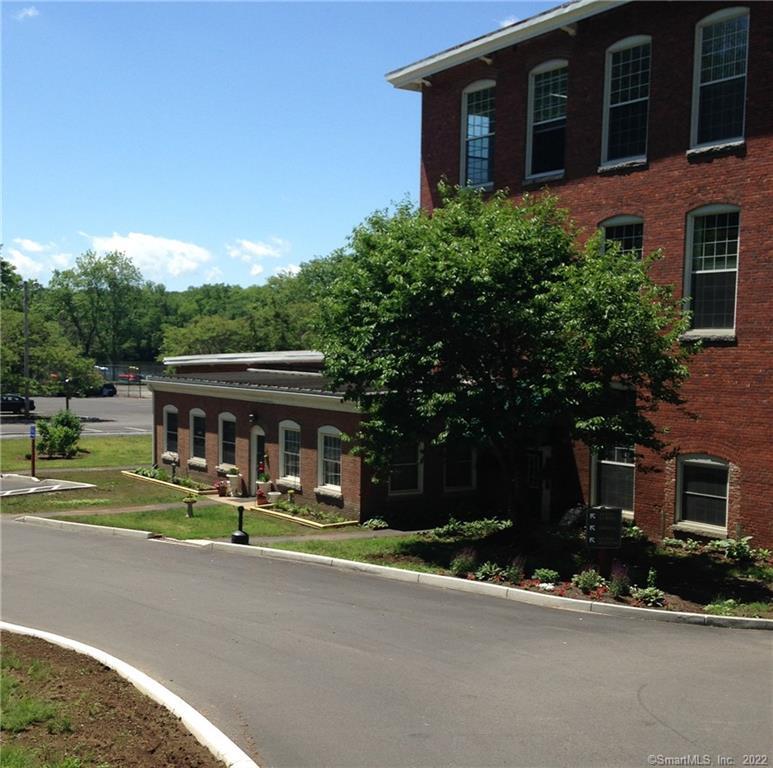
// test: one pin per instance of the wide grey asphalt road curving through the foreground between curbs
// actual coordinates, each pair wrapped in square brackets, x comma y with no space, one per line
[309,666]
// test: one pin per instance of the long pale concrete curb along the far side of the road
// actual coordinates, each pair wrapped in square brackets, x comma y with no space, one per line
[444,582]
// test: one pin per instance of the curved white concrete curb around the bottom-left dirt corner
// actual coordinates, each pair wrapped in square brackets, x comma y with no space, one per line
[204,732]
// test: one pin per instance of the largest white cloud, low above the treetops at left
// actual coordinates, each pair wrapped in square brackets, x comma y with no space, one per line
[156,257]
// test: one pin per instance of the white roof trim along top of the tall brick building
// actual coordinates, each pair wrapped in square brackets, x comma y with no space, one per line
[409,78]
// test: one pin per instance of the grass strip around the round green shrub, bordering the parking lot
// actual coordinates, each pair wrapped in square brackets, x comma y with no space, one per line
[119,451]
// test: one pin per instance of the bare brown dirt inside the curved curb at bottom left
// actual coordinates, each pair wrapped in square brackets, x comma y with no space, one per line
[103,720]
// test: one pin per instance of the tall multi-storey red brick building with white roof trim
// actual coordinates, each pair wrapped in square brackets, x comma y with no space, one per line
[654,122]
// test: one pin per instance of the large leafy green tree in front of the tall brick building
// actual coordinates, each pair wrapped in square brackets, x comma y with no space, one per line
[487,321]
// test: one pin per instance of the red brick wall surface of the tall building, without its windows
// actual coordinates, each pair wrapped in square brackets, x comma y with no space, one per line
[730,392]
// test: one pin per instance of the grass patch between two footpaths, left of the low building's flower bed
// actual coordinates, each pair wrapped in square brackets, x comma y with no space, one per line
[113,490]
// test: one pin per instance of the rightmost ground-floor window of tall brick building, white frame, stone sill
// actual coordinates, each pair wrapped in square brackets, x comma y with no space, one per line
[702,491]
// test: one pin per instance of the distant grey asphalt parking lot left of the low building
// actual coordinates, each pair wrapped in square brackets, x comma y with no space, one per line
[119,415]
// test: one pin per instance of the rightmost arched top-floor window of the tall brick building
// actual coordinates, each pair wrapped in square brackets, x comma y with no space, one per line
[719,77]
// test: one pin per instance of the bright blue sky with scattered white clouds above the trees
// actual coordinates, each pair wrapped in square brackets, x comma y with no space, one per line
[212,142]
